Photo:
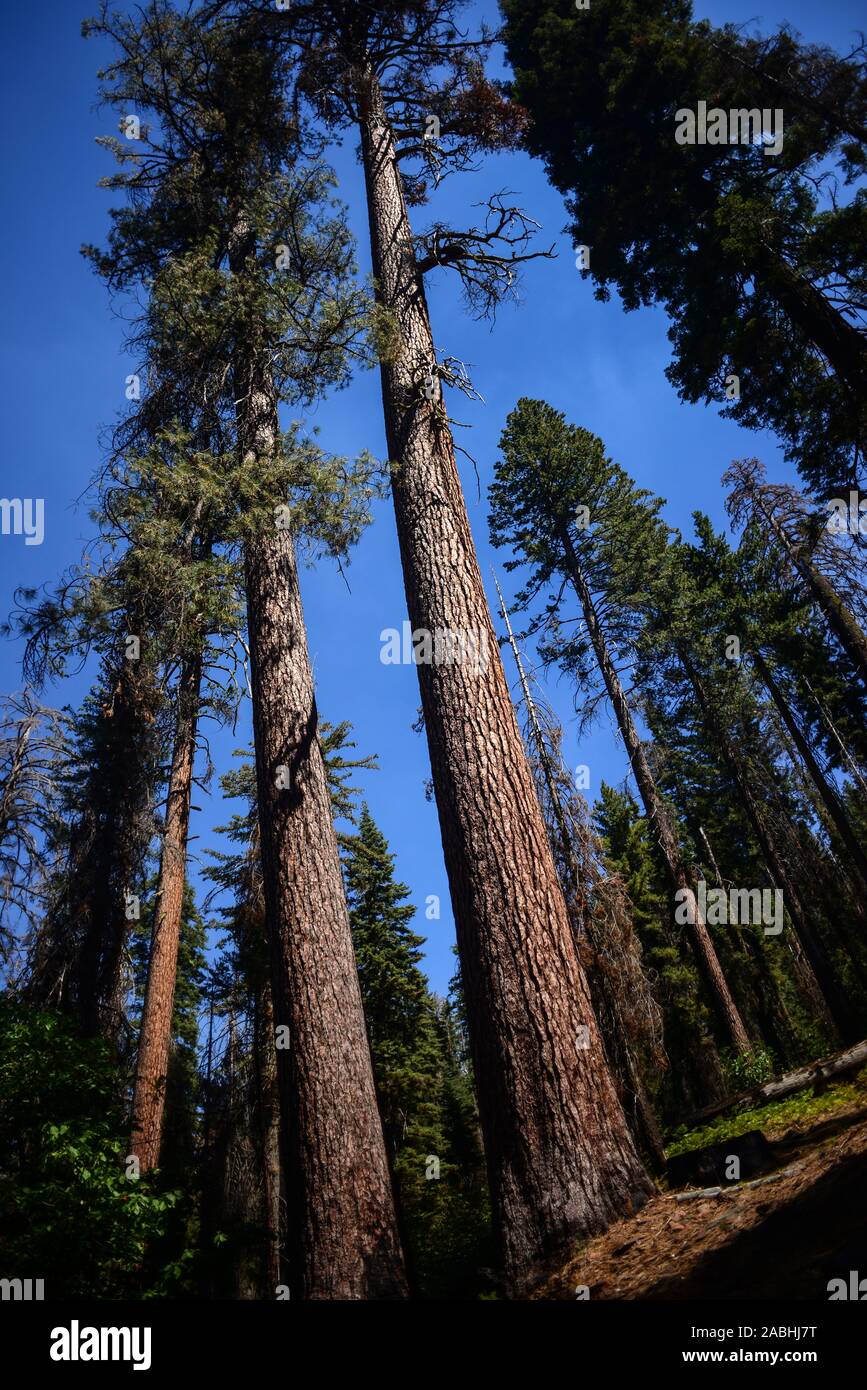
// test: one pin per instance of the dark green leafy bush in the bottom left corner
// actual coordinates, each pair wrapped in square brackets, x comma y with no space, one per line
[69,1213]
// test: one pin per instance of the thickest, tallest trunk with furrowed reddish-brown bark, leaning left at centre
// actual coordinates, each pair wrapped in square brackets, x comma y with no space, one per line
[561,1160]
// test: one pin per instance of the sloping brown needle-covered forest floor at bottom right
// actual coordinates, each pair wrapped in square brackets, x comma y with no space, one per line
[779,1239]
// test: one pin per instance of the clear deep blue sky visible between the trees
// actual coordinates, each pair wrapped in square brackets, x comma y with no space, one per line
[63,373]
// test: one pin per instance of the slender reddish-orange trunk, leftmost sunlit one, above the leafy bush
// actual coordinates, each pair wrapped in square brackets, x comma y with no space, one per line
[155,1036]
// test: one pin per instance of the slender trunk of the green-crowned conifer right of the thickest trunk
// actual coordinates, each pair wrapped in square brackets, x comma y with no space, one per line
[658,817]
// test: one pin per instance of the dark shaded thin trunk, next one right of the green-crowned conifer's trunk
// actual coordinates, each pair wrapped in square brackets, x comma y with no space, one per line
[827,988]
